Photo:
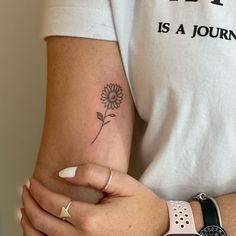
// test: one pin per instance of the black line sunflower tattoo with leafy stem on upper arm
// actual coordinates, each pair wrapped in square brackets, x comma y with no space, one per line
[111,97]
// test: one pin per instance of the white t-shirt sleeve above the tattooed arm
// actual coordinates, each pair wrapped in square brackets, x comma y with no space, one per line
[78,18]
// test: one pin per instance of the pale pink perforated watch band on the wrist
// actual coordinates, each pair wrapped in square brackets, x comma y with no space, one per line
[181,219]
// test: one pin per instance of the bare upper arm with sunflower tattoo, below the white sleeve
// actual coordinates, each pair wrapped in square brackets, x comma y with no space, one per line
[78,71]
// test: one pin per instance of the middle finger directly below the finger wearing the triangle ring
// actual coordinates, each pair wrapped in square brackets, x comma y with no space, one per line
[41,220]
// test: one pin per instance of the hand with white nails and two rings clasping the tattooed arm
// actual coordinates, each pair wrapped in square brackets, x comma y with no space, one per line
[129,208]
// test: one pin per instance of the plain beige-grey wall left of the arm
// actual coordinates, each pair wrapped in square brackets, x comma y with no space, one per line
[22,100]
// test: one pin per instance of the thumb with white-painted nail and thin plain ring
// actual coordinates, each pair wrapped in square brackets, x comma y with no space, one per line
[100,177]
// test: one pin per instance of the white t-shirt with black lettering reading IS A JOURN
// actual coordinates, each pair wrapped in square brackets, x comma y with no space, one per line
[180,61]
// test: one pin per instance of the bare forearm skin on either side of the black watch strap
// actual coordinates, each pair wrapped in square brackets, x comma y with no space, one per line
[227,205]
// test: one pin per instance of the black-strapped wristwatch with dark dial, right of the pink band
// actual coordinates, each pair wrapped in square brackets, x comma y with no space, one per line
[211,216]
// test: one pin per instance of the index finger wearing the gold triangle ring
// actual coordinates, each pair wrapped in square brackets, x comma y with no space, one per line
[53,202]
